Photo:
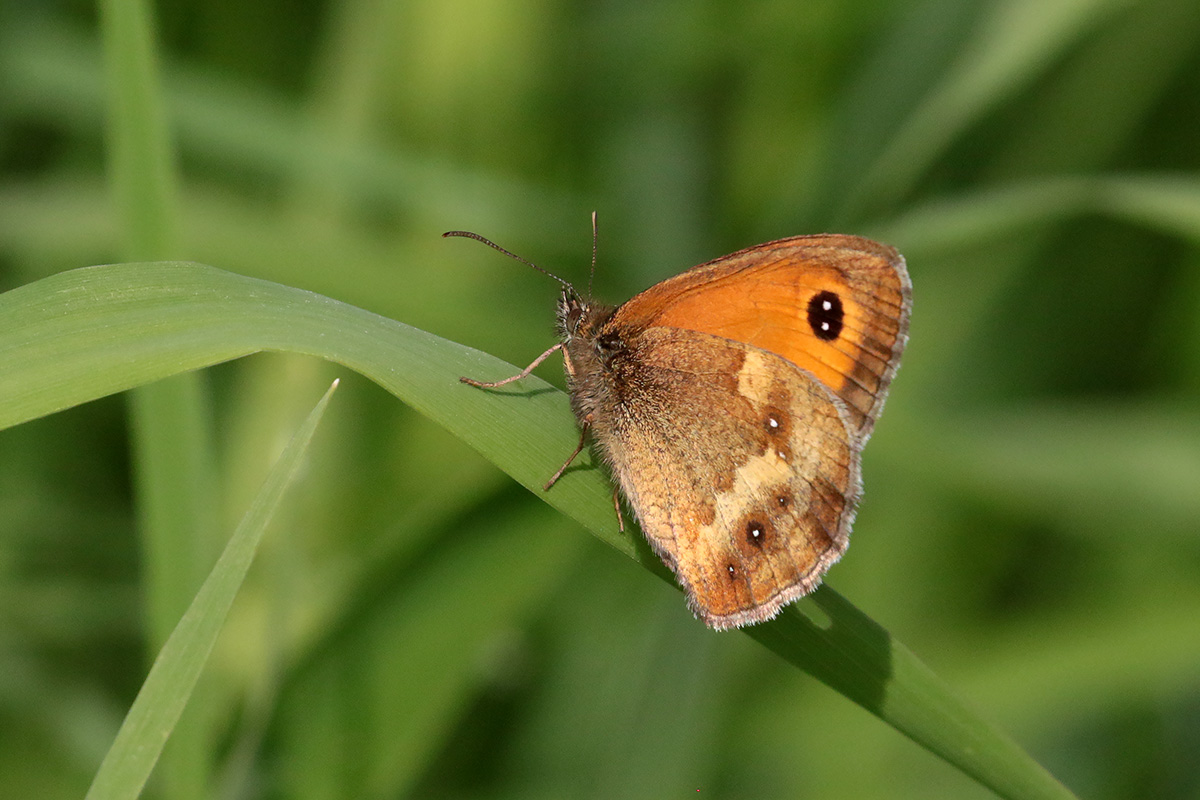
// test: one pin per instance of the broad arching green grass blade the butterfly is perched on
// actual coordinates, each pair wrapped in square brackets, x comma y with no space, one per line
[91,333]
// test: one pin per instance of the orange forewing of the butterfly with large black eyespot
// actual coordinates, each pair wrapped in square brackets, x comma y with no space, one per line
[836,306]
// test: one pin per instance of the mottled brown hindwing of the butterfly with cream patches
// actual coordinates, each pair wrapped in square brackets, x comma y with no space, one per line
[740,467]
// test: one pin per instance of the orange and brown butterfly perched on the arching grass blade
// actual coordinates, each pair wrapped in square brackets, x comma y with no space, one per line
[733,404]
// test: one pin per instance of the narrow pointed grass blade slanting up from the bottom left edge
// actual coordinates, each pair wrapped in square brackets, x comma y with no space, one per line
[178,667]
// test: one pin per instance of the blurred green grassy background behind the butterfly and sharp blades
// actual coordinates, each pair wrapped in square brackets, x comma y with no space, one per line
[417,625]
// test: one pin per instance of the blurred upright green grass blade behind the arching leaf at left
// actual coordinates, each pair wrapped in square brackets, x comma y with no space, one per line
[171,426]
